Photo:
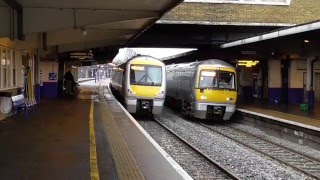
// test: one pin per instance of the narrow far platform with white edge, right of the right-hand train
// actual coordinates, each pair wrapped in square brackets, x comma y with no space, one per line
[287,121]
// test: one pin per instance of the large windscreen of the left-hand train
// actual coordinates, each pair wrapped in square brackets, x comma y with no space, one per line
[146,75]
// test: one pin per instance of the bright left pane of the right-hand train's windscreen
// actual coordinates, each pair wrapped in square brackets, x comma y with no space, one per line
[208,79]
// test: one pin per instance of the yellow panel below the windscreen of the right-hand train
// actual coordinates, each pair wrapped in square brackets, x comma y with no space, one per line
[216,96]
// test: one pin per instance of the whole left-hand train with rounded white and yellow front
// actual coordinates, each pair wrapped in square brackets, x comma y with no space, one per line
[141,83]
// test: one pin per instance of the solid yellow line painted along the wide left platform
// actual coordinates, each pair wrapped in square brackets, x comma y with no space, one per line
[94,172]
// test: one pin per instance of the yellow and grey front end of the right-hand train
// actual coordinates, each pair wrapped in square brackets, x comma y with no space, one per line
[215,92]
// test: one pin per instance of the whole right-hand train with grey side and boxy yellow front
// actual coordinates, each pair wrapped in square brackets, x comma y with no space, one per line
[204,89]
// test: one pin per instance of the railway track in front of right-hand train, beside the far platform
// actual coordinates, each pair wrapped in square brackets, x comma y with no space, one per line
[300,162]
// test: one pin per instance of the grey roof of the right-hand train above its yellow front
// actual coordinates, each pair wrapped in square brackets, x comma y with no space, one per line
[215,62]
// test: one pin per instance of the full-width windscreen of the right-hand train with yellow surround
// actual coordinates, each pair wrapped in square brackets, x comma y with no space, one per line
[217,79]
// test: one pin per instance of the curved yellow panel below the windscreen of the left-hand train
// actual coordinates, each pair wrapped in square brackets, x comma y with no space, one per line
[146,91]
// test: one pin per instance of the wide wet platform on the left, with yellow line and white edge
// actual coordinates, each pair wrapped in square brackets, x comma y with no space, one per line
[88,137]
